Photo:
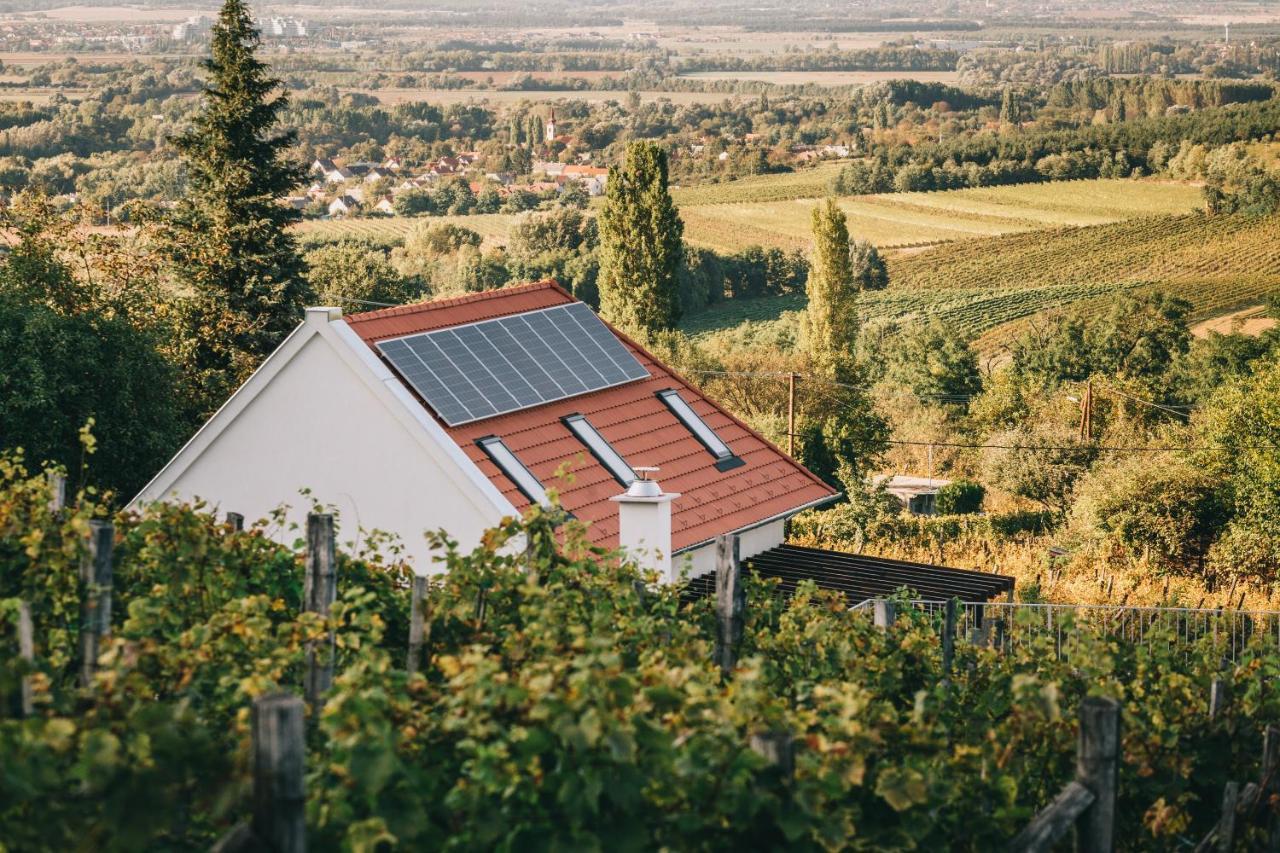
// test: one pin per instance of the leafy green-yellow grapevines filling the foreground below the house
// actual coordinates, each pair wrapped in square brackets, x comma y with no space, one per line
[554,700]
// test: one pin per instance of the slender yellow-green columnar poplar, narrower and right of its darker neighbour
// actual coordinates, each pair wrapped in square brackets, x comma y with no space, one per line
[831,320]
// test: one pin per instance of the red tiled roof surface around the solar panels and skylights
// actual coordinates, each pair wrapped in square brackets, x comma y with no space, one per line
[632,418]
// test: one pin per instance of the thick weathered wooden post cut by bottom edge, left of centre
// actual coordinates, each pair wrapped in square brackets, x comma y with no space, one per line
[280,764]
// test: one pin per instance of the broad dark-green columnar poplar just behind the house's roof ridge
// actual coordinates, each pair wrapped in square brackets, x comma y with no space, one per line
[641,245]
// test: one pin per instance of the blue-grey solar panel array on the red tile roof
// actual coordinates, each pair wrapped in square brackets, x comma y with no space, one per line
[496,367]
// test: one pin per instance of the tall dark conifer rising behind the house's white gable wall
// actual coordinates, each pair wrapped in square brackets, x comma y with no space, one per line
[232,254]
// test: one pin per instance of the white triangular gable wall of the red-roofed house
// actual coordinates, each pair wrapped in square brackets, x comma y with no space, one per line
[319,425]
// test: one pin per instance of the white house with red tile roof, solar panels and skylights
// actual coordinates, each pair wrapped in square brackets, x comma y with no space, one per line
[458,413]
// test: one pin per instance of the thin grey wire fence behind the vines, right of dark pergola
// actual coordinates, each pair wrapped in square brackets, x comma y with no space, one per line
[1009,626]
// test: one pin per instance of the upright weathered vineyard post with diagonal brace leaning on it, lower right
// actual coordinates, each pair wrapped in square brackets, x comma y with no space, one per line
[1099,769]
